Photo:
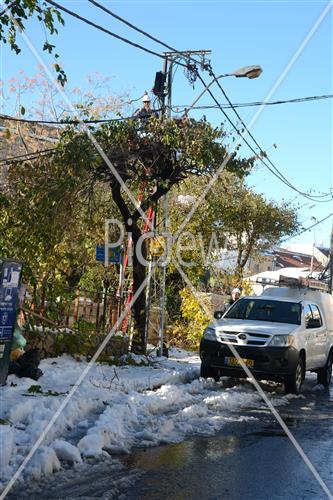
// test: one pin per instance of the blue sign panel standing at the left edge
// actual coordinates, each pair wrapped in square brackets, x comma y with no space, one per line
[10,279]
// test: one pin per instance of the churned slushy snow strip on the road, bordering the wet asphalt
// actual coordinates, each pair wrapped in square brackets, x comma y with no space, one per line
[166,415]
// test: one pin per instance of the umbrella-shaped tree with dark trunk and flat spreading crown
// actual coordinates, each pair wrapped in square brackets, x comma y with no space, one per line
[150,161]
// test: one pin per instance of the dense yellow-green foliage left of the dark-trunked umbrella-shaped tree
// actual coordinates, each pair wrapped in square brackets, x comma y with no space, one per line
[52,217]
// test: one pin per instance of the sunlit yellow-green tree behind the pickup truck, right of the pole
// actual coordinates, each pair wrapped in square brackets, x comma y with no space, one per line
[230,216]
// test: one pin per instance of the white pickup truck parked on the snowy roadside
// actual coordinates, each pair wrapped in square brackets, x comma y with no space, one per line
[280,335]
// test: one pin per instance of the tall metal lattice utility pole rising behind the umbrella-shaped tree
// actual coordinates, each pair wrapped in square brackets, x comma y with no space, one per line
[170,57]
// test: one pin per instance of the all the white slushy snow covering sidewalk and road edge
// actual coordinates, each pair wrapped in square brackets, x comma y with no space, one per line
[113,410]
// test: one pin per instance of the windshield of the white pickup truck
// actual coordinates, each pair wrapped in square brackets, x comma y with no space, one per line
[266,310]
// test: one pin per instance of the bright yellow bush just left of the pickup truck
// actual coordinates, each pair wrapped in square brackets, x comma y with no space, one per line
[188,331]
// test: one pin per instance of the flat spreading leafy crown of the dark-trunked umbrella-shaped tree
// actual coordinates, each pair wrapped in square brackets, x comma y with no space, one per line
[163,156]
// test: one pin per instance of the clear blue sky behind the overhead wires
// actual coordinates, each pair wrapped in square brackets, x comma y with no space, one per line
[238,33]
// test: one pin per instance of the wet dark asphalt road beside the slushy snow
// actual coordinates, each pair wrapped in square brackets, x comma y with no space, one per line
[250,458]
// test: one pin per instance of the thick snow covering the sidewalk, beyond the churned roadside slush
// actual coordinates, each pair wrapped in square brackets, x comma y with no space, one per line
[28,406]
